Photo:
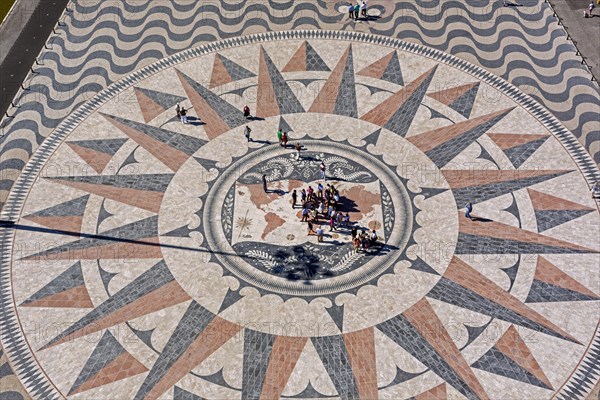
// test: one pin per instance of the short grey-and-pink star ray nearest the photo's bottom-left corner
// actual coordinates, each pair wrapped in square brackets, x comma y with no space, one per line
[109,362]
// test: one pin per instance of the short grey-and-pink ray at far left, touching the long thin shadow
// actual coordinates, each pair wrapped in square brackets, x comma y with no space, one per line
[66,216]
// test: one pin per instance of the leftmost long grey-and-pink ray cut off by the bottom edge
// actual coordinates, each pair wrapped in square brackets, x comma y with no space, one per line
[198,334]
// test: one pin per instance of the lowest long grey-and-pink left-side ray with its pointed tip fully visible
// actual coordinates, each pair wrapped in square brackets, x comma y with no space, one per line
[154,290]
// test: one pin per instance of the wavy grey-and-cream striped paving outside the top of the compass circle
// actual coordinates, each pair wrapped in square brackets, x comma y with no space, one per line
[103,41]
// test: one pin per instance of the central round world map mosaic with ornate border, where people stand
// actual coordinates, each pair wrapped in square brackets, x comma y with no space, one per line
[262,239]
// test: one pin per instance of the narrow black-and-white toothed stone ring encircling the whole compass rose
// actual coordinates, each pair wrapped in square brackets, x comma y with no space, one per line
[14,343]
